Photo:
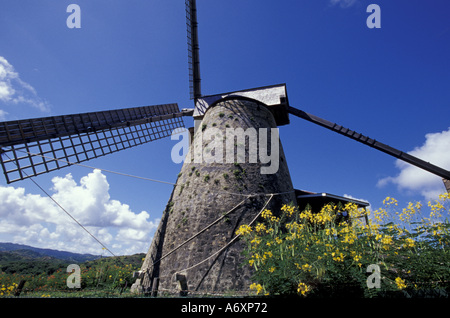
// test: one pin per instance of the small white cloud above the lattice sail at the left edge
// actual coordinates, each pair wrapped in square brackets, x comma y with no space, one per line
[15,91]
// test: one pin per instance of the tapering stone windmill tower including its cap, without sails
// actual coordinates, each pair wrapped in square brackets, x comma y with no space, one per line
[195,246]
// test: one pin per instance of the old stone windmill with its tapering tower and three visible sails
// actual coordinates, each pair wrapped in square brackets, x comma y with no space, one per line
[195,247]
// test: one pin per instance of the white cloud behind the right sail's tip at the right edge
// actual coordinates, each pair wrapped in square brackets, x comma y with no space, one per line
[435,150]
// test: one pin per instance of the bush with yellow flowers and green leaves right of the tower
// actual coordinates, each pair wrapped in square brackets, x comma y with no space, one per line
[327,254]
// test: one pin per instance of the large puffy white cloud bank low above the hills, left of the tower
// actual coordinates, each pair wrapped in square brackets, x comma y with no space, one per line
[35,220]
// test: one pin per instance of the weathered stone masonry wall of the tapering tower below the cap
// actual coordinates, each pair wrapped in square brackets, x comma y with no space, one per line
[203,194]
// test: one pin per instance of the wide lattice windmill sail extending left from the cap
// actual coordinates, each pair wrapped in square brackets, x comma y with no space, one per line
[31,147]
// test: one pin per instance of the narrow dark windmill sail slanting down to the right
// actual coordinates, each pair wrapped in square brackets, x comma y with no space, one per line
[445,174]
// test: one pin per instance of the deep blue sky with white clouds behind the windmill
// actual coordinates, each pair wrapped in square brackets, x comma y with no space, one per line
[391,84]
